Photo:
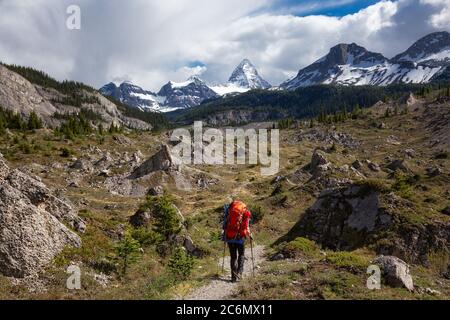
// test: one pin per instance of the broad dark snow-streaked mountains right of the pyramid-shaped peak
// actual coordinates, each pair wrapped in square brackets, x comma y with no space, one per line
[350,64]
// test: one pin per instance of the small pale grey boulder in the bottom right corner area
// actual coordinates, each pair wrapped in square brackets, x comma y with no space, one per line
[395,272]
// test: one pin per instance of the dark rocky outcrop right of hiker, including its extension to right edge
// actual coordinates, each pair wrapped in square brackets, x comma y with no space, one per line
[355,216]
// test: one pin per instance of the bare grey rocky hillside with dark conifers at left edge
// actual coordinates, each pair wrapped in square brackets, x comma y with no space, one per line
[24,91]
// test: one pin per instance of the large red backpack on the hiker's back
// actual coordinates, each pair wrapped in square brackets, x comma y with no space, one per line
[237,221]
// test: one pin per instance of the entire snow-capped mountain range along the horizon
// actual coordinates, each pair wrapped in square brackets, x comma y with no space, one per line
[345,64]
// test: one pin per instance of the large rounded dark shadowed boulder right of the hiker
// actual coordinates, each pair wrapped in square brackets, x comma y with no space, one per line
[343,218]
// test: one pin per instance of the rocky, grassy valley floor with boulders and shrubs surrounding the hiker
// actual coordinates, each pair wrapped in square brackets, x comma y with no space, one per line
[368,190]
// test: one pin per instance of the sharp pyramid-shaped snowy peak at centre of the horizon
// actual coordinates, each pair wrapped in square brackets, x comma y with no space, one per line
[245,75]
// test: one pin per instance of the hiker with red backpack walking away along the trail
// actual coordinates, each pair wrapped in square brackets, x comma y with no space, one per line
[236,230]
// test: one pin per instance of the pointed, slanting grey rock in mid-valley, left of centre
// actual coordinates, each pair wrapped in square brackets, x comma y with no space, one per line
[160,161]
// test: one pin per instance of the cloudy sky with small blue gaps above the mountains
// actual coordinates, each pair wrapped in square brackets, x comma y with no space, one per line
[152,42]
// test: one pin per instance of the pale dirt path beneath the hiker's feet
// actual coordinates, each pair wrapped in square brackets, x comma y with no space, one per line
[223,288]
